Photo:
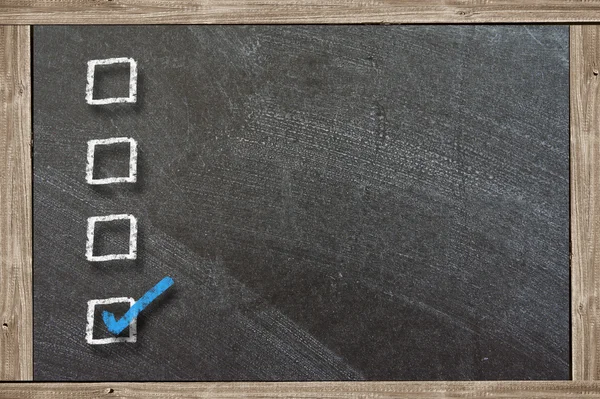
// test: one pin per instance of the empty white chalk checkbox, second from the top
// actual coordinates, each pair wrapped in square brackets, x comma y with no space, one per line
[101,152]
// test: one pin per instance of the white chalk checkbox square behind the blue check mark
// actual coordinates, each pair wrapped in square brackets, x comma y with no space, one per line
[96,332]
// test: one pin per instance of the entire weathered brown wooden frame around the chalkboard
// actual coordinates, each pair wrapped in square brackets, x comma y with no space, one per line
[16,341]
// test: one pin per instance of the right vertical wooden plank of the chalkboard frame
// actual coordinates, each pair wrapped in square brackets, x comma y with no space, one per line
[585,200]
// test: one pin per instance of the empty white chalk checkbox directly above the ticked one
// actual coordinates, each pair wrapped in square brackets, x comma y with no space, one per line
[94,224]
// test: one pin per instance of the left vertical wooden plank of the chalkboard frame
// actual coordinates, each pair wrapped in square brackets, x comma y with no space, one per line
[16,356]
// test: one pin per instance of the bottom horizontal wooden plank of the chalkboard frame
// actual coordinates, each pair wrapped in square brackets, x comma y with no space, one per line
[320,390]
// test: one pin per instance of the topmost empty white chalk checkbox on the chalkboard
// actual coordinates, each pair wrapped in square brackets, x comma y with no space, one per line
[110,65]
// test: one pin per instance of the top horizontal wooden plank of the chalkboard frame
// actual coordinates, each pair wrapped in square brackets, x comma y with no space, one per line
[295,11]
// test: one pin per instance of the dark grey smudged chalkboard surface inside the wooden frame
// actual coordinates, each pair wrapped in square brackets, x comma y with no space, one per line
[331,202]
